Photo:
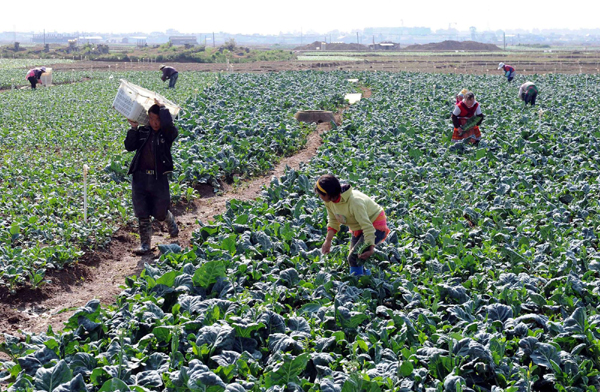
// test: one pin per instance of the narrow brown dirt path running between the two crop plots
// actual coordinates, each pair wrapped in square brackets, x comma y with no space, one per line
[101,274]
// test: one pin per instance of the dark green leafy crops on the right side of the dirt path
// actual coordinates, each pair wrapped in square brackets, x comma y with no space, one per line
[489,280]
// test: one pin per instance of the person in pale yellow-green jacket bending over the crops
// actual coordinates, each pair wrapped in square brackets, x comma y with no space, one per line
[365,218]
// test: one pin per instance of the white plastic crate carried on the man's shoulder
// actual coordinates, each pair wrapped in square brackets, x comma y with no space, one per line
[133,102]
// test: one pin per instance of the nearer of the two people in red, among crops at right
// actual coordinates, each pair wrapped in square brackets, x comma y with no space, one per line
[466,118]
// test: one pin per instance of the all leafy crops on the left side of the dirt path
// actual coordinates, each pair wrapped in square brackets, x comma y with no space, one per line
[49,134]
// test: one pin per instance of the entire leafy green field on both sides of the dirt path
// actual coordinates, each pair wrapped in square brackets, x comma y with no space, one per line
[489,280]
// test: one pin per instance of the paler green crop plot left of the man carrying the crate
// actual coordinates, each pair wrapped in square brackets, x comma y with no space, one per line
[47,137]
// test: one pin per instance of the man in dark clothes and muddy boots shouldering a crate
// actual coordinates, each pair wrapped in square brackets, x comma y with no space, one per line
[149,167]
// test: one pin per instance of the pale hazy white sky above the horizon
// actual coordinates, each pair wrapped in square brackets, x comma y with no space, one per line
[275,16]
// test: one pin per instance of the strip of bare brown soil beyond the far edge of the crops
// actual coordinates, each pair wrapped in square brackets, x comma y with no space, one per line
[526,63]
